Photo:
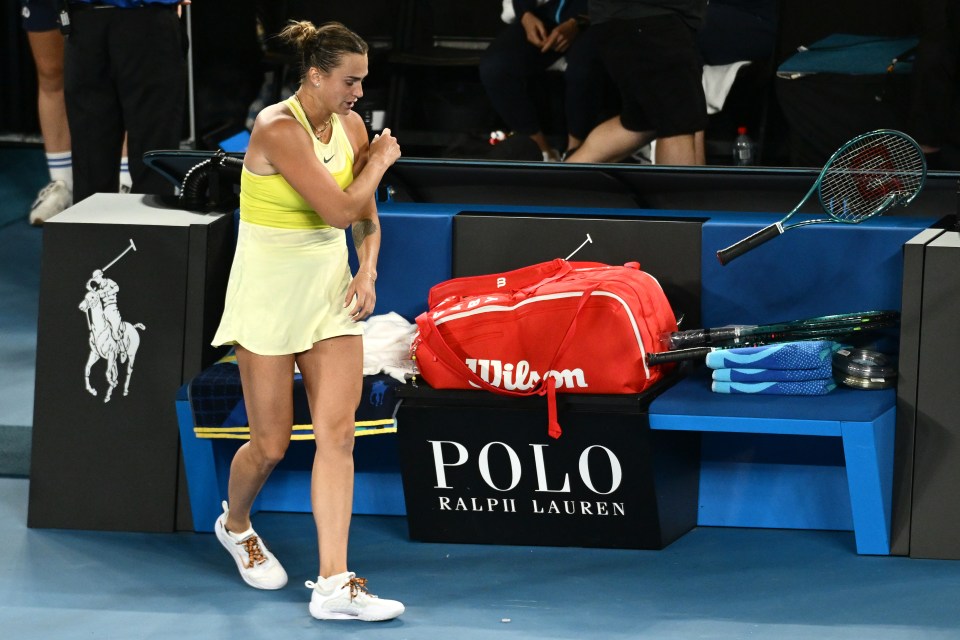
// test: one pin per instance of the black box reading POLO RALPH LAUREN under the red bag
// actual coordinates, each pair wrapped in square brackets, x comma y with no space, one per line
[481,469]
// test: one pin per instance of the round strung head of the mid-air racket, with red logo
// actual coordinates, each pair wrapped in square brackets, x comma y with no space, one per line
[874,172]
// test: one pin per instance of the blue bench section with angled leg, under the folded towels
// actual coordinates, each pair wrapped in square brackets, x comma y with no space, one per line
[783,492]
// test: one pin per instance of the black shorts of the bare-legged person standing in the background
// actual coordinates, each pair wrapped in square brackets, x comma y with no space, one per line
[657,67]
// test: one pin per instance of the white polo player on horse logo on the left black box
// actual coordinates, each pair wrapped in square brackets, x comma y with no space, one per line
[111,339]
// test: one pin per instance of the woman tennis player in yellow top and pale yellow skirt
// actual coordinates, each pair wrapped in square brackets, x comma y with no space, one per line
[308,173]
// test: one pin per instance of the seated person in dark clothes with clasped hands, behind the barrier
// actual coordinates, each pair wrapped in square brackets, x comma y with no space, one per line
[539,33]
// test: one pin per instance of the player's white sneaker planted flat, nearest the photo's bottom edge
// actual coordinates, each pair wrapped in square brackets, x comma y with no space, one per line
[345,597]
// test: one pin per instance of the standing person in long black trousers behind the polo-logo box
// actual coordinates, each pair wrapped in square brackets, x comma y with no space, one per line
[124,72]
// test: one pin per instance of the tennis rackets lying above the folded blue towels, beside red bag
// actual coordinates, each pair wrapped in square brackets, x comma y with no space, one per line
[697,343]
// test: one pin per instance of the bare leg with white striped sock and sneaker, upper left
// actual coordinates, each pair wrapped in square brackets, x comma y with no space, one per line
[46,46]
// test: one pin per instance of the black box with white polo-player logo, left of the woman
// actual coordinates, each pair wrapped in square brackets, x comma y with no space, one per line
[106,449]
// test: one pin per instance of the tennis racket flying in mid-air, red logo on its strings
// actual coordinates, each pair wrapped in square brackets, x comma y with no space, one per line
[863,178]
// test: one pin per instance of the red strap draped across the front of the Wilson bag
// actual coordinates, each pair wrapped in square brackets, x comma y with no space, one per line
[430,334]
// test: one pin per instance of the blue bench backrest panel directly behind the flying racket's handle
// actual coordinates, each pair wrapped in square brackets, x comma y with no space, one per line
[811,271]
